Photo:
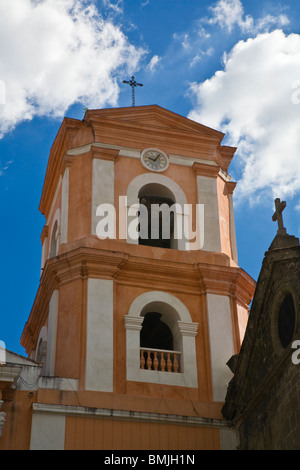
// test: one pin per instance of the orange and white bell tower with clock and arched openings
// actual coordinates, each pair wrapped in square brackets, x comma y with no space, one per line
[141,300]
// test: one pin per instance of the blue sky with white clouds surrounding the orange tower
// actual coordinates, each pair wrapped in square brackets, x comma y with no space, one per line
[230,64]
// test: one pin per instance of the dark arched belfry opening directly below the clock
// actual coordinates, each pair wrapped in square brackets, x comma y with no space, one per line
[156,220]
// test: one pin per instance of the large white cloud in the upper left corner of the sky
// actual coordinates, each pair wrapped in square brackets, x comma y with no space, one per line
[54,53]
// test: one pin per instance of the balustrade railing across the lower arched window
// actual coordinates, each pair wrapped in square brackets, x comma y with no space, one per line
[160,360]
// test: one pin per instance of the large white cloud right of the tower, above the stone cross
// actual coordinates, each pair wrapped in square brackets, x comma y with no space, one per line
[255,101]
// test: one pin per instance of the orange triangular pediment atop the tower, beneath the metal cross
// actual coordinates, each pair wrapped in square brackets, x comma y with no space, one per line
[153,117]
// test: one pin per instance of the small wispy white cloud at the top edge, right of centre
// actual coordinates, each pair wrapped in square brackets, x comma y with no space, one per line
[229,13]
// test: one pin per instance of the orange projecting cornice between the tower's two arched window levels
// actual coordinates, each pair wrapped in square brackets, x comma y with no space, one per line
[127,269]
